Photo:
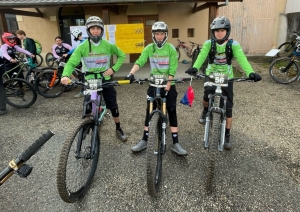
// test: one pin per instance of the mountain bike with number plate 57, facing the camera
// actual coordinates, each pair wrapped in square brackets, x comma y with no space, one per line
[156,144]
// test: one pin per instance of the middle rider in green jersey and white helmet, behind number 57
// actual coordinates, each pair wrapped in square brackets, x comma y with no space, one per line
[163,61]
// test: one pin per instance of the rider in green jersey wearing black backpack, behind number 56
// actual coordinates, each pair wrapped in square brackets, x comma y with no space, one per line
[220,50]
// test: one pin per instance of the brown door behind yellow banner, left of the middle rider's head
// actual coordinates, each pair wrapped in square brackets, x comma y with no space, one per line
[148,21]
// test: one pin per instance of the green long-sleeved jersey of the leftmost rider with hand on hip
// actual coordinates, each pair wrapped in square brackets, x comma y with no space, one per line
[95,61]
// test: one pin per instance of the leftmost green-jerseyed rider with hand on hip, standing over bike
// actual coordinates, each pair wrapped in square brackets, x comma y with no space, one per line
[96,54]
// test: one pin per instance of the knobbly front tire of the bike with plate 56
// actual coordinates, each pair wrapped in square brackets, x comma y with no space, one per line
[214,139]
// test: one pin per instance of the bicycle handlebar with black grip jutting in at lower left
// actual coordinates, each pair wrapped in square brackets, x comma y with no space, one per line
[16,164]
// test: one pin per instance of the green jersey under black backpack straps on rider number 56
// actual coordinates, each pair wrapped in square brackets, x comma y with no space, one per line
[220,63]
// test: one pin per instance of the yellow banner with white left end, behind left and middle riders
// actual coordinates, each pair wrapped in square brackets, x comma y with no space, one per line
[128,37]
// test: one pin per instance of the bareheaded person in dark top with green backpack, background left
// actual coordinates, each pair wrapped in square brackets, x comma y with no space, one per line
[29,45]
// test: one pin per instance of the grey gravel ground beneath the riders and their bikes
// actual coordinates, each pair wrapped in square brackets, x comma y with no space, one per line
[261,173]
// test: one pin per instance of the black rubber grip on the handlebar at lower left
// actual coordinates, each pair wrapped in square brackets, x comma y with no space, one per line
[35,146]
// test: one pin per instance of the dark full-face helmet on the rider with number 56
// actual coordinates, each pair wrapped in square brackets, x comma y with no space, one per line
[220,23]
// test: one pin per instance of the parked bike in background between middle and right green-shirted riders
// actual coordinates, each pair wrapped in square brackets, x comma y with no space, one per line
[191,52]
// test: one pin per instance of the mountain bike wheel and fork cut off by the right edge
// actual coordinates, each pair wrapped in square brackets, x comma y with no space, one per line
[286,69]
